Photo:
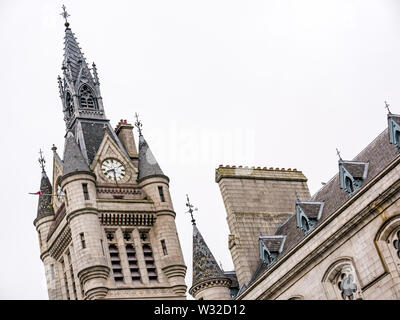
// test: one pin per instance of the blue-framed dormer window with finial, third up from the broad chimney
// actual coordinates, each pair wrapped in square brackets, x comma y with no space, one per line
[352,174]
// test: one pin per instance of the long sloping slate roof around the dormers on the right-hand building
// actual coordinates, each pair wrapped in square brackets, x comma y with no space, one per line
[379,154]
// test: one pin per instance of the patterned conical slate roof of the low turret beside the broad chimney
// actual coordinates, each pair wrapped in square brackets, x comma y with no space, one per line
[204,264]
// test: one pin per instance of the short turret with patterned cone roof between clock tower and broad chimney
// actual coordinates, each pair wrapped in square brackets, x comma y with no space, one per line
[209,281]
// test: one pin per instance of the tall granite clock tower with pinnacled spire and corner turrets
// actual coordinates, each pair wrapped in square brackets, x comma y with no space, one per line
[106,222]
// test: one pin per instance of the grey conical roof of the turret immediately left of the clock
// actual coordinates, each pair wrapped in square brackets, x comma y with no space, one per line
[73,158]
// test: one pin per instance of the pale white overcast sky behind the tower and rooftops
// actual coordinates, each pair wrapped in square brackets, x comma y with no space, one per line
[260,83]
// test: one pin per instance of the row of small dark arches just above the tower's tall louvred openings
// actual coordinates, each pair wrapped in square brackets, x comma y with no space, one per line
[127,219]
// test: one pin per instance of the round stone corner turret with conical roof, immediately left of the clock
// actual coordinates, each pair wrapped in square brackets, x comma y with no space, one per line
[78,183]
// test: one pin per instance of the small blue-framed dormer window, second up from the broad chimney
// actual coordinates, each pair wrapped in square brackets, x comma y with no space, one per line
[307,215]
